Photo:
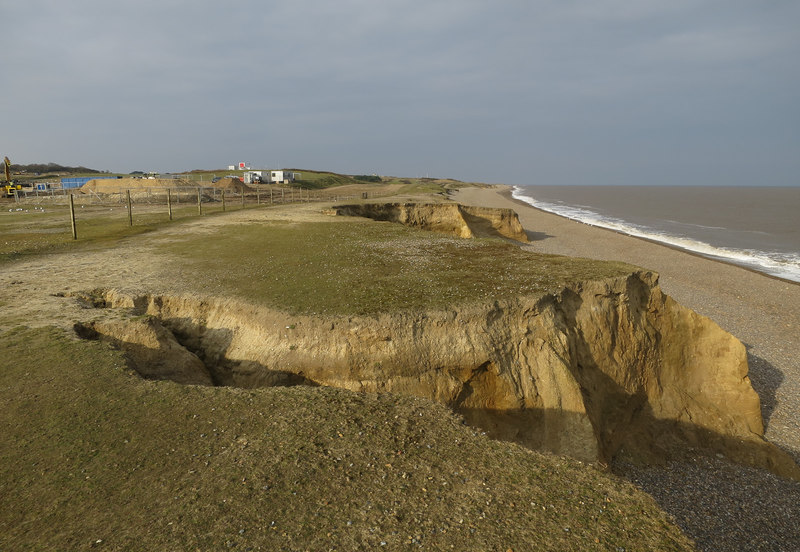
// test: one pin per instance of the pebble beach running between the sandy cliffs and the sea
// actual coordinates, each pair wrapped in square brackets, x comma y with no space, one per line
[722,506]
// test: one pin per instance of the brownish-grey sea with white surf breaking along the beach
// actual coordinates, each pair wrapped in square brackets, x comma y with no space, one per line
[755,227]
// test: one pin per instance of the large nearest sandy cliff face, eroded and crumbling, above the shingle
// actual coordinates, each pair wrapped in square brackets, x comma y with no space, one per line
[595,370]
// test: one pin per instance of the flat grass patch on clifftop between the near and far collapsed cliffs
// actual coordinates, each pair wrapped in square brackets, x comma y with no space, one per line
[357,266]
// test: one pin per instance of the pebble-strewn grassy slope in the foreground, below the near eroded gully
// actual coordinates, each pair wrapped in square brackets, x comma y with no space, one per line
[92,457]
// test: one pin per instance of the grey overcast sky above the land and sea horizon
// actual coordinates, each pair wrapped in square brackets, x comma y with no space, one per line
[517,92]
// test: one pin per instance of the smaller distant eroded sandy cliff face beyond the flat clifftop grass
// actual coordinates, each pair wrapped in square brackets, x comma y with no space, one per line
[449,218]
